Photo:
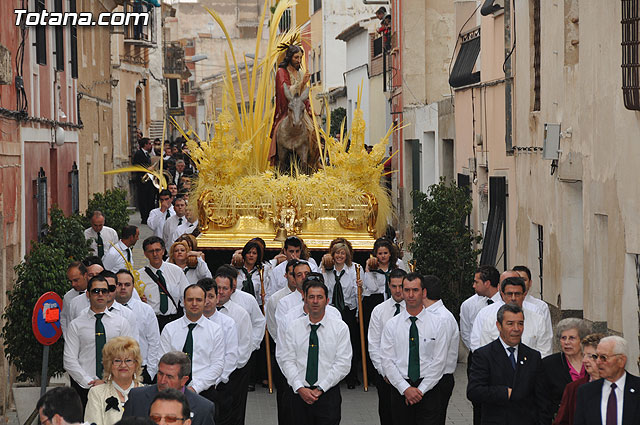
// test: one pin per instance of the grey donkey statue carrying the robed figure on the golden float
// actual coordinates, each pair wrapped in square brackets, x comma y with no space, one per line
[292,137]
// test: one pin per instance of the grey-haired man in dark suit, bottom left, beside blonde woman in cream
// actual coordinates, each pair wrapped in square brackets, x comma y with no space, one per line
[173,372]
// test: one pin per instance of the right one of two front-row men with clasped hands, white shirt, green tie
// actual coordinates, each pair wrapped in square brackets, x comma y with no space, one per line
[414,348]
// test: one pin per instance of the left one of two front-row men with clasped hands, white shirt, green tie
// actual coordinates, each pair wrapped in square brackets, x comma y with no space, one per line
[314,354]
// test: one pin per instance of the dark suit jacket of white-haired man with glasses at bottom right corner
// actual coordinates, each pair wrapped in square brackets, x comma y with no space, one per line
[590,396]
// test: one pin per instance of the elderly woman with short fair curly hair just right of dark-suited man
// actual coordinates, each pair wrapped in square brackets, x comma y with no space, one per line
[566,366]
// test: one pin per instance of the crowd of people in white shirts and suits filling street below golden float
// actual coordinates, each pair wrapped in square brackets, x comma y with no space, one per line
[174,333]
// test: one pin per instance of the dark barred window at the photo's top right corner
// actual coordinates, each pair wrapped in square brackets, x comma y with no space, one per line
[631,54]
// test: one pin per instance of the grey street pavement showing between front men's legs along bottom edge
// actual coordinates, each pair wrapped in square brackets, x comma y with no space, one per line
[360,408]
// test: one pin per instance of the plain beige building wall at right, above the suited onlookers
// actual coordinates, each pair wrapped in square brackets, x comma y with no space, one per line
[591,225]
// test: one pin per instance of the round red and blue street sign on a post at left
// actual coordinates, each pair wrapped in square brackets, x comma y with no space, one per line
[45,322]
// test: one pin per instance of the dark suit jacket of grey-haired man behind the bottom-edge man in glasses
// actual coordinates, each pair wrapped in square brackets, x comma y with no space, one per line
[139,402]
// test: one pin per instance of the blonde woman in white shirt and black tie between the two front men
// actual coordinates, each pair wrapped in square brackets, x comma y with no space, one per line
[341,278]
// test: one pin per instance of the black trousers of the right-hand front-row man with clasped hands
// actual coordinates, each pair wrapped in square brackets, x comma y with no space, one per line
[425,412]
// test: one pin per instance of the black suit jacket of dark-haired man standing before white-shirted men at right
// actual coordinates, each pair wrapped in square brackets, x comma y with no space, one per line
[492,374]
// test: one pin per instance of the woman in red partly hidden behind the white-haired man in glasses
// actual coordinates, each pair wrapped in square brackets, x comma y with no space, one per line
[567,408]
